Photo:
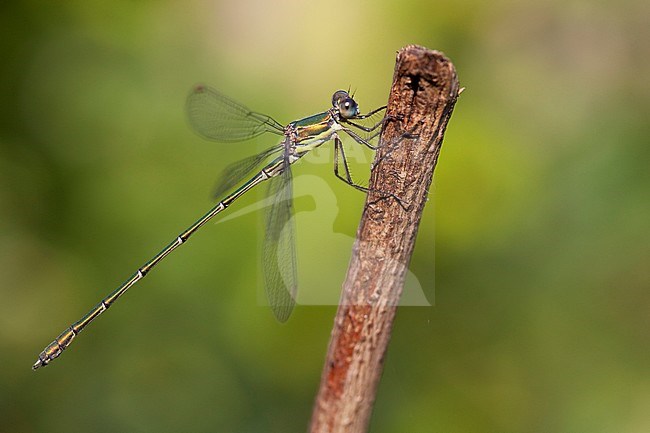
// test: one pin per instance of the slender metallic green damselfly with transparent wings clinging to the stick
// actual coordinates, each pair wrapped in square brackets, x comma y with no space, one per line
[217,117]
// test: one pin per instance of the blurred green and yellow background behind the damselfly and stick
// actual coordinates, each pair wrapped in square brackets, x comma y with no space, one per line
[541,223]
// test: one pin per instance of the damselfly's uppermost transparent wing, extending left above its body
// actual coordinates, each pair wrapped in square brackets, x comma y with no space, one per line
[217,117]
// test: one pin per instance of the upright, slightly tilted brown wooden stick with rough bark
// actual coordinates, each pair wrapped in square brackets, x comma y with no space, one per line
[424,91]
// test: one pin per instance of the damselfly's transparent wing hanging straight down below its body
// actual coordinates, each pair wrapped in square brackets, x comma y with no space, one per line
[279,255]
